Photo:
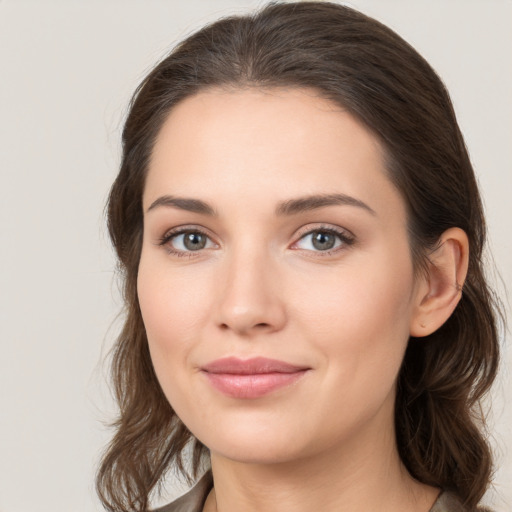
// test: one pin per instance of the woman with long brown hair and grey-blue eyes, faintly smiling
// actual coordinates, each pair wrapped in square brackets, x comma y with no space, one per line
[301,235]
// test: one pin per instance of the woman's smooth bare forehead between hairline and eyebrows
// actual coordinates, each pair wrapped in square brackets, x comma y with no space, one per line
[264,145]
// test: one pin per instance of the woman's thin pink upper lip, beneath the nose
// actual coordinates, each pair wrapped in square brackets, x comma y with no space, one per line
[256,365]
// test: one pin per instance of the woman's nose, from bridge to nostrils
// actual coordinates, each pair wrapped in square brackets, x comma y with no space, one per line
[250,302]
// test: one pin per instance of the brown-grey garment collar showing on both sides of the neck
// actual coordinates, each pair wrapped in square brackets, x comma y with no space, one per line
[194,500]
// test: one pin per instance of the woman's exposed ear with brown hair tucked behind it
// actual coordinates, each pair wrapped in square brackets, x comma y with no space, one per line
[439,290]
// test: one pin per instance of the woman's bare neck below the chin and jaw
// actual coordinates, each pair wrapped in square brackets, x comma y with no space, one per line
[363,474]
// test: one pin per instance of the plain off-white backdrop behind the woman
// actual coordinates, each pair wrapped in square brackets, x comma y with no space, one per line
[68,69]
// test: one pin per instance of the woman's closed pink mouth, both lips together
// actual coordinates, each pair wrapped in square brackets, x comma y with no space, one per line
[251,378]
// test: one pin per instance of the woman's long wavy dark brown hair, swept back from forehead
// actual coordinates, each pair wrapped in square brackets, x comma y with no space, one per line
[362,65]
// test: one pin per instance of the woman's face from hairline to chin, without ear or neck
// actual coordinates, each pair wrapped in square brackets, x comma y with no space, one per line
[276,282]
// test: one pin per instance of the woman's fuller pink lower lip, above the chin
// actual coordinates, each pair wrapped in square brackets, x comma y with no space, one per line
[254,385]
